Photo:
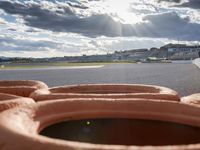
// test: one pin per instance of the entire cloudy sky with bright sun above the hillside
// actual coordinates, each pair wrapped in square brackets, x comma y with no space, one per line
[57,28]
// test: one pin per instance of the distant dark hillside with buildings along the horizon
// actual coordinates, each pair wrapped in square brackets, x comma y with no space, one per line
[165,53]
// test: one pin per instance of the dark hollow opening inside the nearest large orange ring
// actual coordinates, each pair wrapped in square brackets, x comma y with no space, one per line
[124,132]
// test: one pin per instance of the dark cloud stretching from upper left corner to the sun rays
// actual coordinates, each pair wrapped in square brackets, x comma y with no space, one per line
[93,25]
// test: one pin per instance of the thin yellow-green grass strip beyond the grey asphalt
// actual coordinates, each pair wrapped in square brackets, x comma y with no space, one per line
[57,64]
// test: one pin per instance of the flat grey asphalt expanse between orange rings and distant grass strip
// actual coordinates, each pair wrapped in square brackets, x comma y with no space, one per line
[182,77]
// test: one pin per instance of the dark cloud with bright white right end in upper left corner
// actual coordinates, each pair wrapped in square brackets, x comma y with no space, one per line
[36,9]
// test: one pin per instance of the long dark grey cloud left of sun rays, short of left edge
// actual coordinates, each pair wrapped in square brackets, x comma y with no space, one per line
[92,26]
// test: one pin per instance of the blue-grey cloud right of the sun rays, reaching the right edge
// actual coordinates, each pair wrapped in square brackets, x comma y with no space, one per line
[171,25]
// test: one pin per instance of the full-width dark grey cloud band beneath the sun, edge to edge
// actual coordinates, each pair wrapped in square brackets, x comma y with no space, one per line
[164,25]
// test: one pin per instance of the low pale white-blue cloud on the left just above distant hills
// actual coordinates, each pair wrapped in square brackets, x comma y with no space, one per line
[10,43]
